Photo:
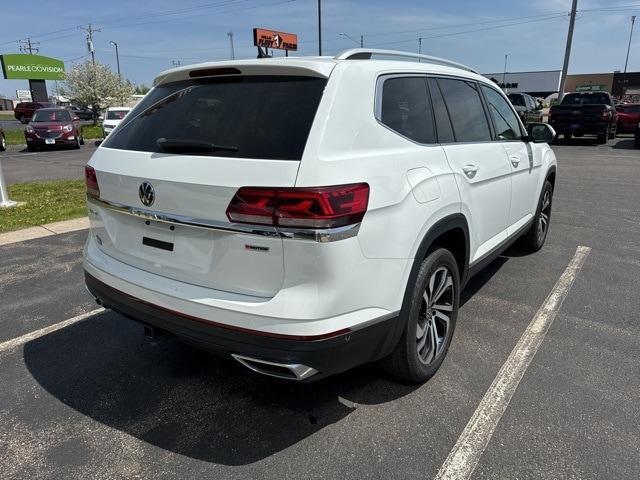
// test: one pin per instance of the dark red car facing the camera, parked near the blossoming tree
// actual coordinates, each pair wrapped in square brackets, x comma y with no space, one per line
[53,126]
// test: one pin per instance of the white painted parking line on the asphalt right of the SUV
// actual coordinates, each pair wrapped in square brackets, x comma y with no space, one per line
[475,437]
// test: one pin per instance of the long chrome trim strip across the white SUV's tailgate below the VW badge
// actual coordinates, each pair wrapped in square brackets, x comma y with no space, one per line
[316,235]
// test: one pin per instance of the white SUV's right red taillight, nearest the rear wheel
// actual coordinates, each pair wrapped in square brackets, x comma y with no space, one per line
[314,207]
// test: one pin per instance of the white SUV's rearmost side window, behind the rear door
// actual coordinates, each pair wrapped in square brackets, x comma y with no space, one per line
[405,108]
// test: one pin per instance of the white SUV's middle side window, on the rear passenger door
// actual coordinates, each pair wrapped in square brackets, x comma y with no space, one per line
[466,110]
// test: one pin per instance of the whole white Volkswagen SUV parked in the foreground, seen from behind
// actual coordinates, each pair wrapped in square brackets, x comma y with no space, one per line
[307,215]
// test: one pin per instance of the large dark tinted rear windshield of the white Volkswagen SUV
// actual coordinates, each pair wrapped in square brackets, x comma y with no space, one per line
[264,117]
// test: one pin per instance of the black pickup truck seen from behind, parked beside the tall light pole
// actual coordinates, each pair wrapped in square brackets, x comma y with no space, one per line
[585,113]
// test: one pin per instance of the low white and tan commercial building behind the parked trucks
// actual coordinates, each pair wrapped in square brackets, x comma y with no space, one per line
[545,83]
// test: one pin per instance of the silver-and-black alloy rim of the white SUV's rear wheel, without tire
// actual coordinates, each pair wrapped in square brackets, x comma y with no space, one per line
[432,329]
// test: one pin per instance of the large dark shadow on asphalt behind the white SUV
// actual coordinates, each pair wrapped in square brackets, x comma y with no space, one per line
[188,401]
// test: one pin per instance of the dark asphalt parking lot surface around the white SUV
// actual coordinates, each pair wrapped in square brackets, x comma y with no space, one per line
[95,399]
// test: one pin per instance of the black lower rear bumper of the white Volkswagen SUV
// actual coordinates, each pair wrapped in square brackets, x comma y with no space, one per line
[327,353]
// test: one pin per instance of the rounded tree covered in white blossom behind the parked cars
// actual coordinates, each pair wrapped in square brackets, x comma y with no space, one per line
[96,86]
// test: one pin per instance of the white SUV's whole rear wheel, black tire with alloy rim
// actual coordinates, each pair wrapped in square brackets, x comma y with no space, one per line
[416,357]
